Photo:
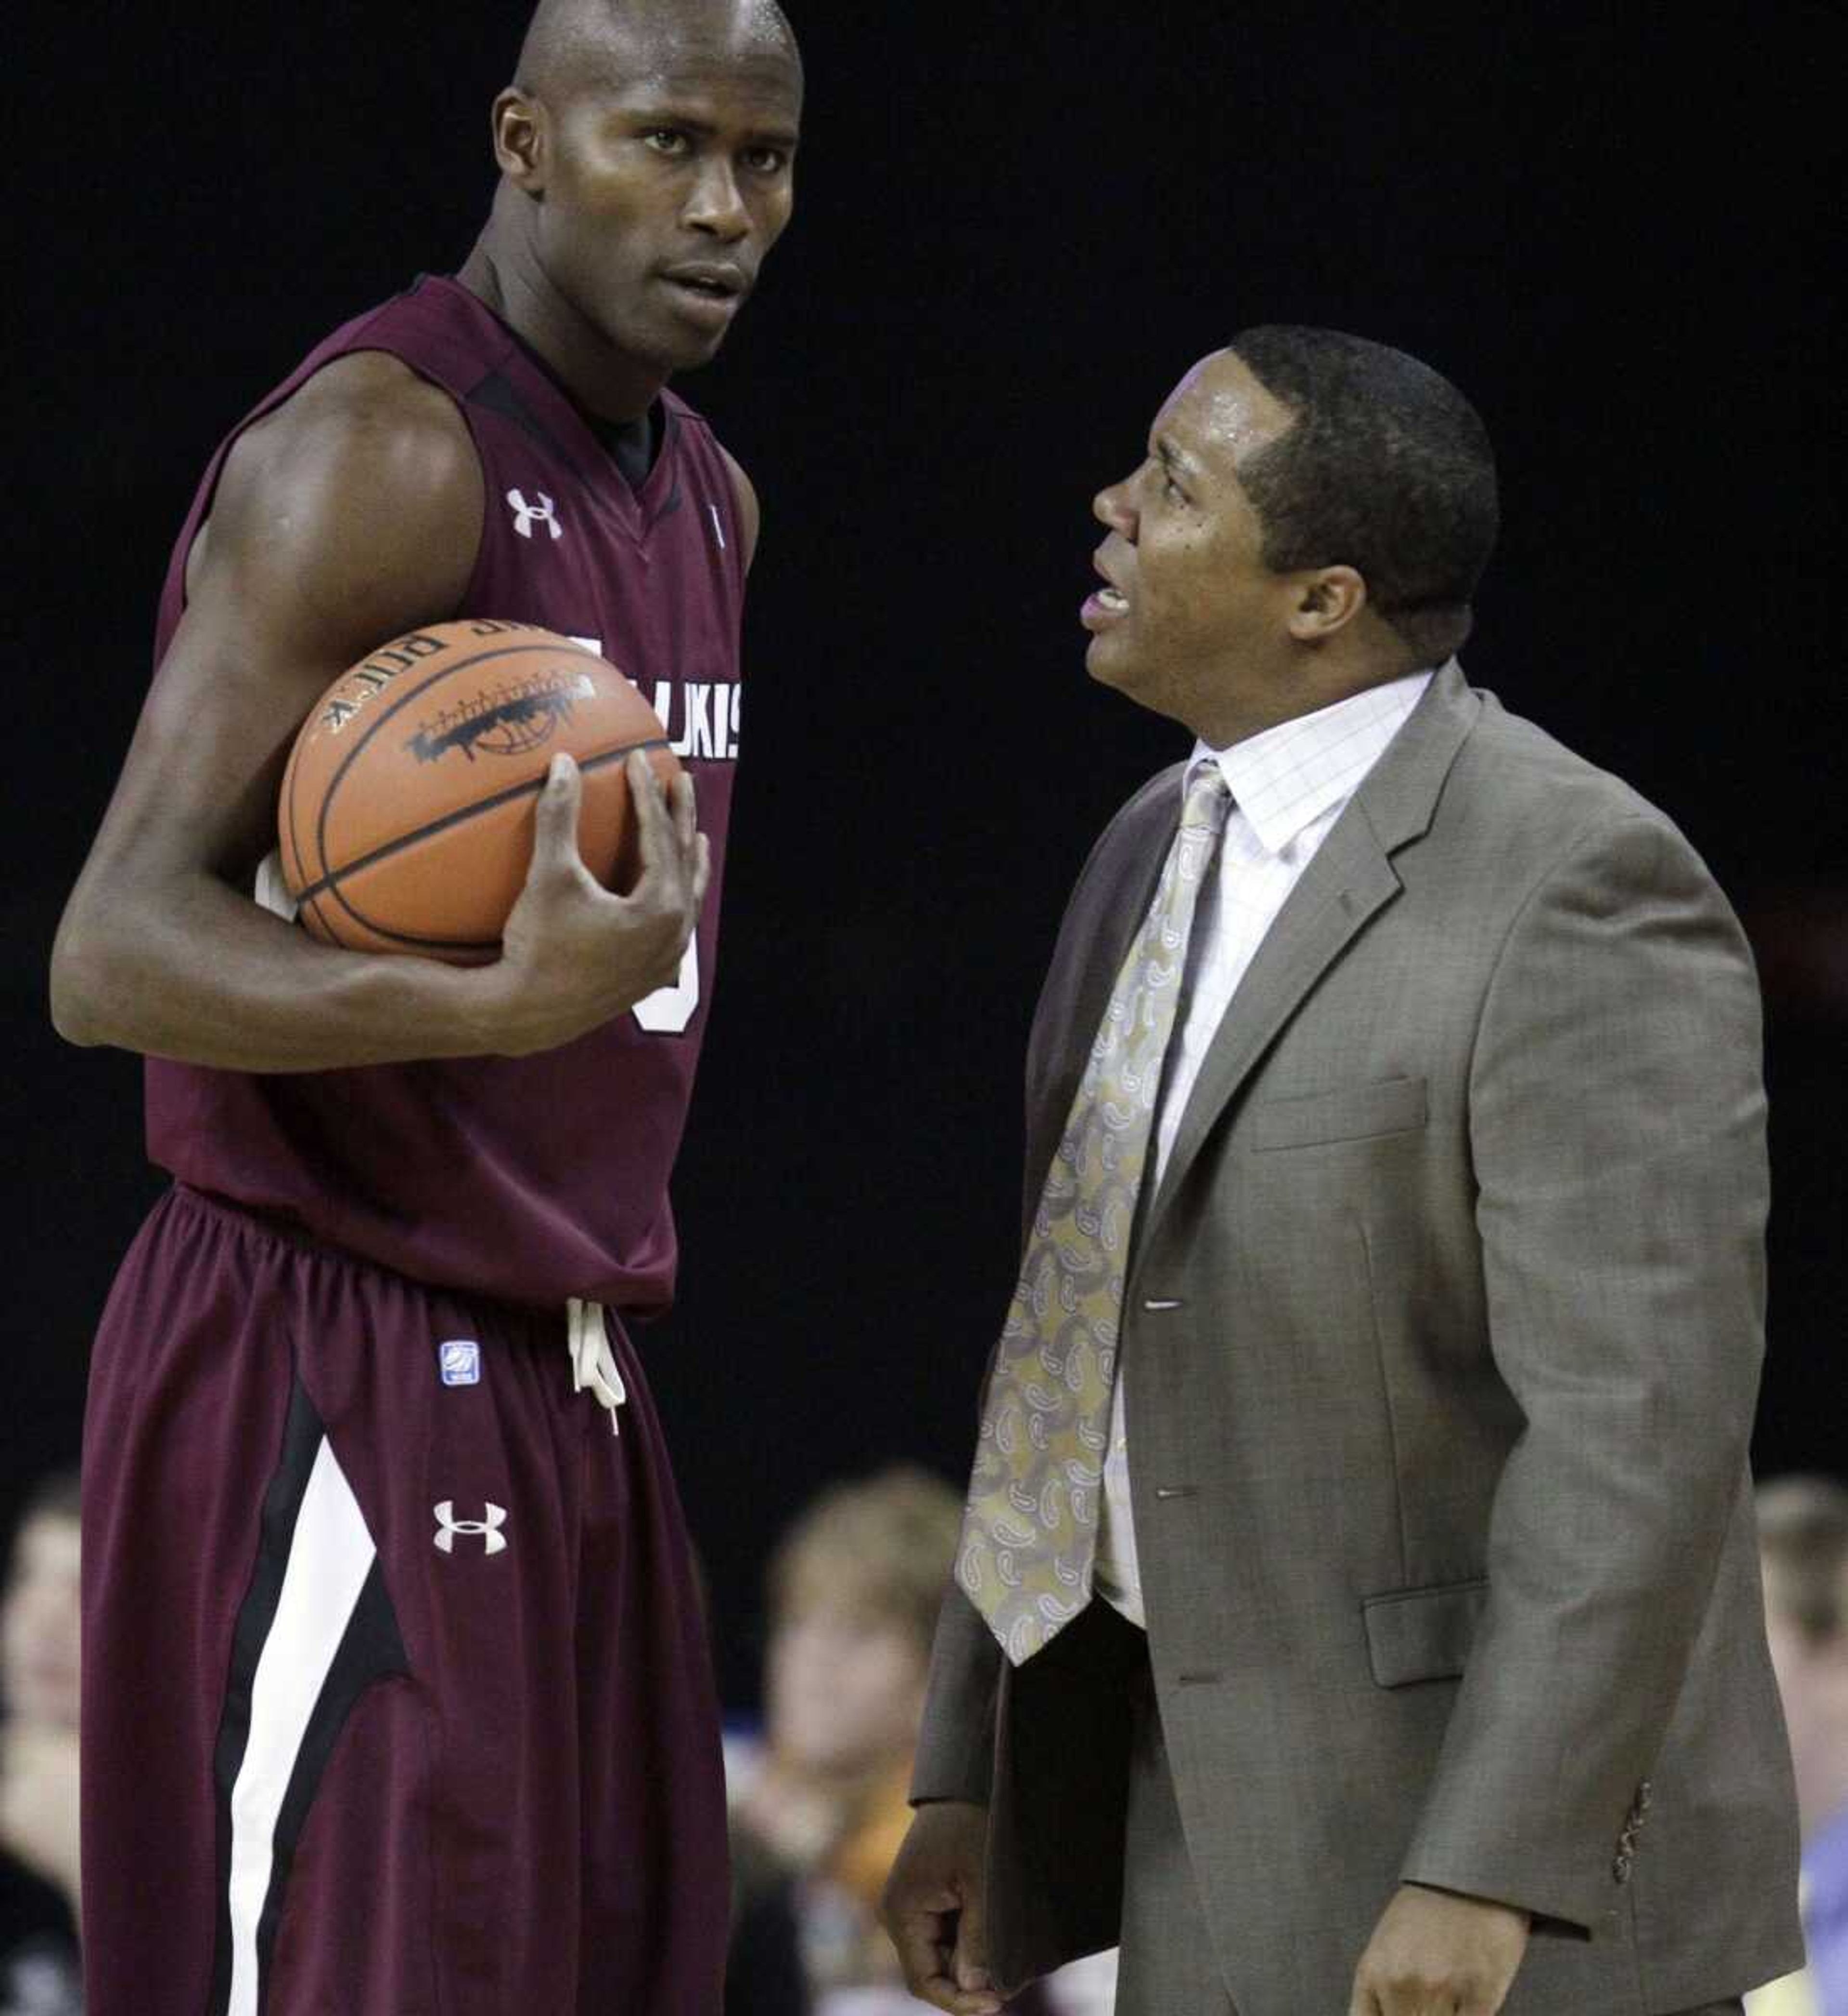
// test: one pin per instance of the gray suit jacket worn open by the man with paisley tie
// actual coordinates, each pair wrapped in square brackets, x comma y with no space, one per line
[1442,1342]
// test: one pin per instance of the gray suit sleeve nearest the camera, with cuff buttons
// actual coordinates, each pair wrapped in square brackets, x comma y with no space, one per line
[1617,1124]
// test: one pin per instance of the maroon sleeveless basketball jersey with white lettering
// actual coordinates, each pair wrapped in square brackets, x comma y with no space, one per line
[547,1176]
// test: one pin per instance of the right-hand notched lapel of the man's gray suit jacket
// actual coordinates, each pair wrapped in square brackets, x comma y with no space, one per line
[1349,882]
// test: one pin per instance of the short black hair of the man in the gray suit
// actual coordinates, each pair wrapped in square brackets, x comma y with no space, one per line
[1388,471]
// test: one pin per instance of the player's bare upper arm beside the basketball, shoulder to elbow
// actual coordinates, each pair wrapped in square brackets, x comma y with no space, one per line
[332,531]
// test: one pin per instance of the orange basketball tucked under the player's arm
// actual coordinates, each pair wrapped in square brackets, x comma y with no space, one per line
[406,813]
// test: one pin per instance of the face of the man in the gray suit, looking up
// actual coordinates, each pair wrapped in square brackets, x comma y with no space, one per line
[1192,622]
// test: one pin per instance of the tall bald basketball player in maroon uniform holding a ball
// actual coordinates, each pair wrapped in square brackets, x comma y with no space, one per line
[396,1692]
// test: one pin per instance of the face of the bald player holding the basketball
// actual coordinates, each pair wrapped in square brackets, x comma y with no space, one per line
[666,176]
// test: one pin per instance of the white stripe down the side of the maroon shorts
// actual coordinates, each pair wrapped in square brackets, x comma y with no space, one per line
[329,1561]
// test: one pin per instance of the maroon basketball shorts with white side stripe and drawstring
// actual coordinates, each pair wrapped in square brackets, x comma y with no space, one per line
[396,1692]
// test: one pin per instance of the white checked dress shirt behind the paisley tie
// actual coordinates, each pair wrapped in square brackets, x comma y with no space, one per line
[1289,787]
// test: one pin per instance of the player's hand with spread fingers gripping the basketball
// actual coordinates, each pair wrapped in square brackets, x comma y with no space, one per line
[575,955]
